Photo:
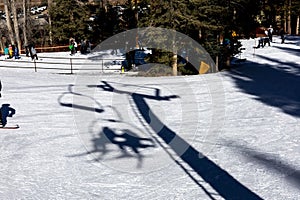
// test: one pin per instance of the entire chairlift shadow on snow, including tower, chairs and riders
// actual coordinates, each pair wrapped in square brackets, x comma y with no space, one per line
[222,182]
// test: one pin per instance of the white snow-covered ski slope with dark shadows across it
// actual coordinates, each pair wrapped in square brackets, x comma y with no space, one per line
[231,135]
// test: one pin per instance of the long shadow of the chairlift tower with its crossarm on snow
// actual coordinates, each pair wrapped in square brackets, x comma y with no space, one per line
[226,185]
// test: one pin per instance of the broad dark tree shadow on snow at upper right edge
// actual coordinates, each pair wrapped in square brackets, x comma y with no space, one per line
[277,86]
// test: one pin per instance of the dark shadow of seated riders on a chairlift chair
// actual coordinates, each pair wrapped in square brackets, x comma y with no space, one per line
[128,142]
